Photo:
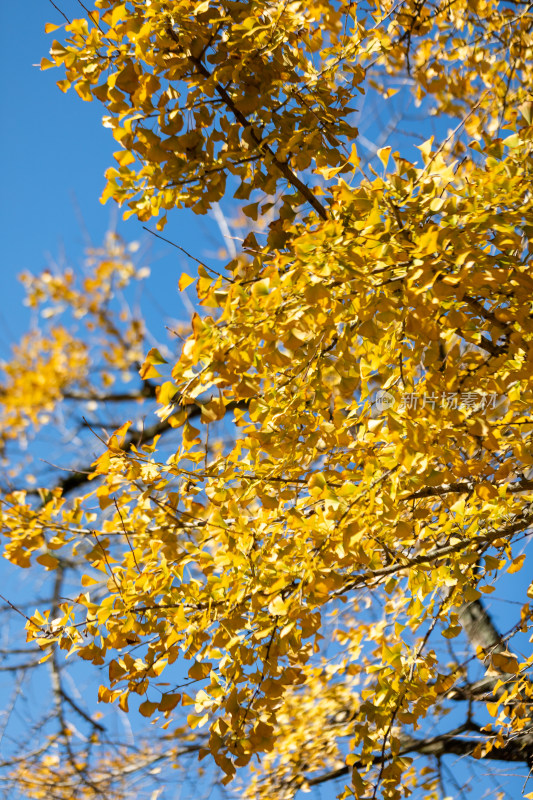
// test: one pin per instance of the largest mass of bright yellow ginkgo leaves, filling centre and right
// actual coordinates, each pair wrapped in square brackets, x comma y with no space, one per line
[233,561]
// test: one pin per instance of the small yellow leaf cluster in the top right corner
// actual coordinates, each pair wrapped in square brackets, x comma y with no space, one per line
[479,63]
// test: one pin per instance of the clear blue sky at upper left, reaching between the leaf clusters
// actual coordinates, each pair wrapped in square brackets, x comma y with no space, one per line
[54,155]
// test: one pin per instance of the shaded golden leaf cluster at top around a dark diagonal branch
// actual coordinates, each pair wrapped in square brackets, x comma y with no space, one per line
[284,115]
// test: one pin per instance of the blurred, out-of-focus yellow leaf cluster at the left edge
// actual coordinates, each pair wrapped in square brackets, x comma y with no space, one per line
[49,364]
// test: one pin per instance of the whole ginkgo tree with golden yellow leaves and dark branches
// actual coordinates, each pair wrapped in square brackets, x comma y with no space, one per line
[286,568]
